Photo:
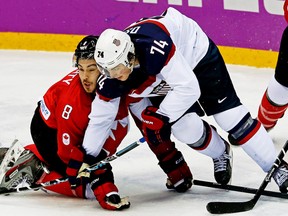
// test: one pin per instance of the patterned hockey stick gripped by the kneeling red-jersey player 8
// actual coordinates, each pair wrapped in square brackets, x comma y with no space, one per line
[64,179]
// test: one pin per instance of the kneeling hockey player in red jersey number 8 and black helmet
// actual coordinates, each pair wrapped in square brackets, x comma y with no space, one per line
[58,128]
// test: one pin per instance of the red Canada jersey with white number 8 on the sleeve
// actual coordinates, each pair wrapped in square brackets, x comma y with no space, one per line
[66,107]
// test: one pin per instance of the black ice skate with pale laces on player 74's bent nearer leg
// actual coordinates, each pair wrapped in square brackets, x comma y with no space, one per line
[223,166]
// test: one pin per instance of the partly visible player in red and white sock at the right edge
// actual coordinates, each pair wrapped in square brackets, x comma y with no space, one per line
[275,99]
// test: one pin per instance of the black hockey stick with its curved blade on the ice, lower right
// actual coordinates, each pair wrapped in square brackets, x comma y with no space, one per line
[233,207]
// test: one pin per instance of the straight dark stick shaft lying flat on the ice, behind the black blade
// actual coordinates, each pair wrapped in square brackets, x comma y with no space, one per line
[239,189]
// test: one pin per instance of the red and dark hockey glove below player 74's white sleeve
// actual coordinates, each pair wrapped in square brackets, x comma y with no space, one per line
[156,127]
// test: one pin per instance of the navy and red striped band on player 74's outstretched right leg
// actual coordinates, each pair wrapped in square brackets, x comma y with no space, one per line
[244,130]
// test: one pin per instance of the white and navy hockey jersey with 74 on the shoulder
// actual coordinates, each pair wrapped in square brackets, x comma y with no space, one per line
[168,48]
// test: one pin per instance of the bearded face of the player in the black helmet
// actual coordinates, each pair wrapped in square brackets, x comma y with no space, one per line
[89,74]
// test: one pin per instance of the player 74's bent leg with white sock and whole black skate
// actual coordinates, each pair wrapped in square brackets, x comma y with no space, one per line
[203,138]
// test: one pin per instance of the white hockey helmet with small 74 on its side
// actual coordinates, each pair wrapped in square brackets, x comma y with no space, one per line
[113,48]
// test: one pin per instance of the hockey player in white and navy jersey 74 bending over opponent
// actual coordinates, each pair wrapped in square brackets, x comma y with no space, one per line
[170,55]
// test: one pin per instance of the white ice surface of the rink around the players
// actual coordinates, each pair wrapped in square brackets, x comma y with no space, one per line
[24,78]
